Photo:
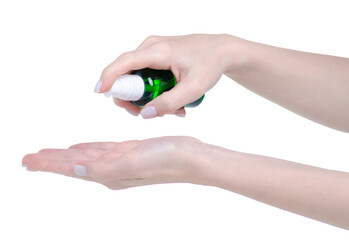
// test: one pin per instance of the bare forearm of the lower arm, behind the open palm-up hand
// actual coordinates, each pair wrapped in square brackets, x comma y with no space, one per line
[309,191]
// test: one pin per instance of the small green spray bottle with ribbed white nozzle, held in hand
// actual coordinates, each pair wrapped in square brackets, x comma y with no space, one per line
[142,86]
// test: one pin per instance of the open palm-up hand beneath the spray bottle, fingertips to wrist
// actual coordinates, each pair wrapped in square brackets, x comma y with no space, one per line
[119,165]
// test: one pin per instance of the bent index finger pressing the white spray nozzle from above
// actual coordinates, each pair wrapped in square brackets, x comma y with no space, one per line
[149,57]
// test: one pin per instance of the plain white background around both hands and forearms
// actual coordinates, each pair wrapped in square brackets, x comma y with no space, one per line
[51,56]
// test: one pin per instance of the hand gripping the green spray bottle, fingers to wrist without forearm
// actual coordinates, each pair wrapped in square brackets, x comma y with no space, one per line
[197,61]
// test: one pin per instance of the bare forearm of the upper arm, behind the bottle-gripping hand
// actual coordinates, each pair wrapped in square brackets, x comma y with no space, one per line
[313,85]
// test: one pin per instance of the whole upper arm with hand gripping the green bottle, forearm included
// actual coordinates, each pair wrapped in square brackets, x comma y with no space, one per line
[298,81]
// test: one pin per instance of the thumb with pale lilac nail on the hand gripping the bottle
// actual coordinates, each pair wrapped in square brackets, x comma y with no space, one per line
[183,93]
